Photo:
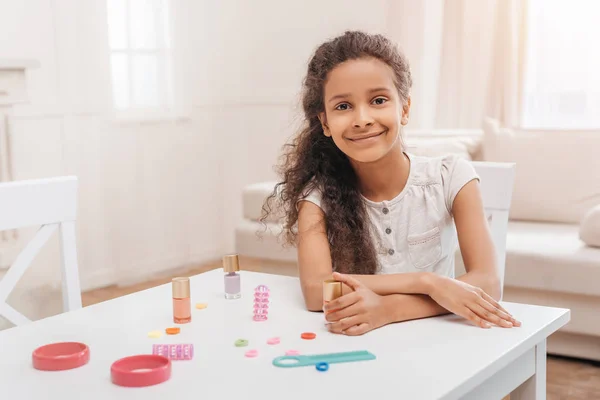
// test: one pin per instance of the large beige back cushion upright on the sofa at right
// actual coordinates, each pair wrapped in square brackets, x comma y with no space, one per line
[558,172]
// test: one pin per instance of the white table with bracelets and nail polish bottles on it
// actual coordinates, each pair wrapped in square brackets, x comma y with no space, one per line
[435,358]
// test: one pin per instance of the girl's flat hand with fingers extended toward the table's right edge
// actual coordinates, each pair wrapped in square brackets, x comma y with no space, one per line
[471,303]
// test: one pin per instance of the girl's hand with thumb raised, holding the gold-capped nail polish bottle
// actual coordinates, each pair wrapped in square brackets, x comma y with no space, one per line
[357,312]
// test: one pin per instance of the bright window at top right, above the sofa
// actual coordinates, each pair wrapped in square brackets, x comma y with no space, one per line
[562,65]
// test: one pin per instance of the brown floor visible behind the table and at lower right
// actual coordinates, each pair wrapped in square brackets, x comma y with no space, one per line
[567,379]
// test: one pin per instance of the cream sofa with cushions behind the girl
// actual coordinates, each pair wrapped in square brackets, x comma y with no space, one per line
[557,182]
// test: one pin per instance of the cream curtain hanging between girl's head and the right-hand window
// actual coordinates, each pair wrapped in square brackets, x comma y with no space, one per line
[467,59]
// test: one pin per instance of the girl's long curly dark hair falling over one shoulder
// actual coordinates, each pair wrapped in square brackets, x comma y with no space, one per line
[313,161]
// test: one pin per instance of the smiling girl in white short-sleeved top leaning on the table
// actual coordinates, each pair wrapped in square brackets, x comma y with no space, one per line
[385,221]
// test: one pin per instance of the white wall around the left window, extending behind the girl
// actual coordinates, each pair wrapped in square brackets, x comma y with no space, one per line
[163,194]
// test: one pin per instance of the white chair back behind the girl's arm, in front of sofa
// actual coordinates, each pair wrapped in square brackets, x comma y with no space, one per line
[497,180]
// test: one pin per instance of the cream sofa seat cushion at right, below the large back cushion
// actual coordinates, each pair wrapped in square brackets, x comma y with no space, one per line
[547,256]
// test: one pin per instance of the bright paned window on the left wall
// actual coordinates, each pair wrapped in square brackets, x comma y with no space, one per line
[140,56]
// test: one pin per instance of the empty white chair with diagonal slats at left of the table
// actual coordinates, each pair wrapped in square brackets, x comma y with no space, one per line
[51,203]
